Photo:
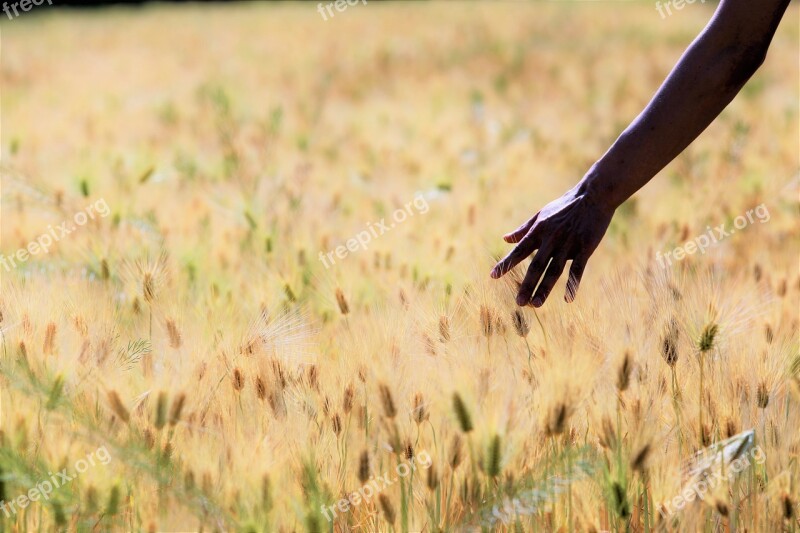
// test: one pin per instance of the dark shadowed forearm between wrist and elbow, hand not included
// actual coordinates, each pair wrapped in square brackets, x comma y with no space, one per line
[708,76]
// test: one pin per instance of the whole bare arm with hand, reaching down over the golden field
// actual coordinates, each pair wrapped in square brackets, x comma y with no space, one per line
[707,77]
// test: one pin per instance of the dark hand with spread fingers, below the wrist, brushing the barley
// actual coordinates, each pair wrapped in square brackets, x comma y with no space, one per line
[569,228]
